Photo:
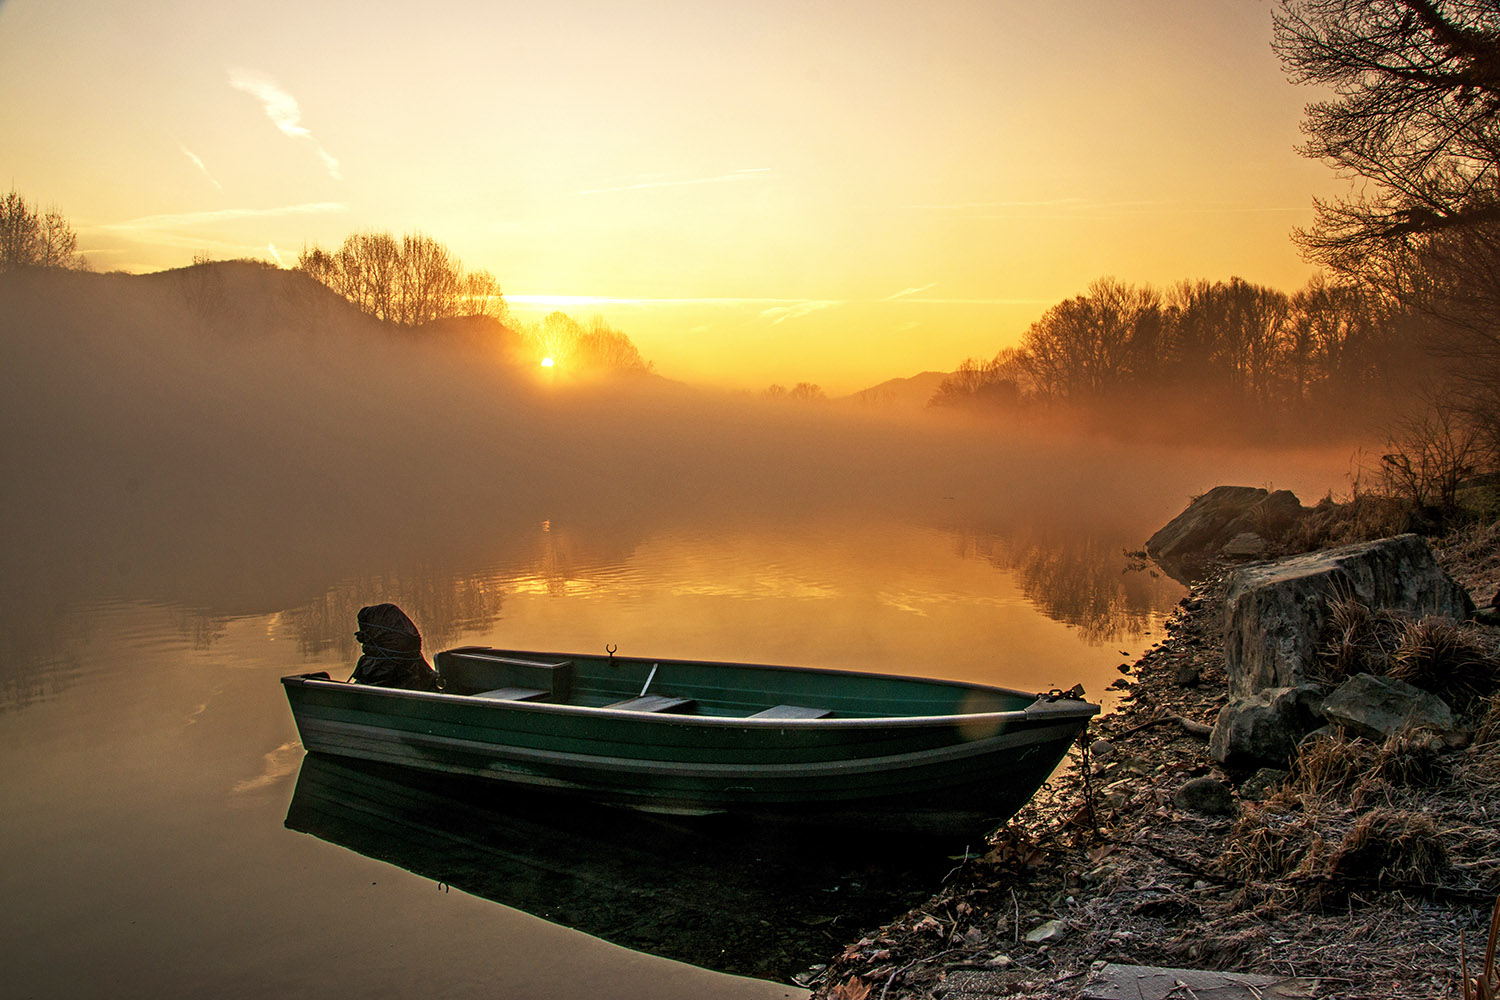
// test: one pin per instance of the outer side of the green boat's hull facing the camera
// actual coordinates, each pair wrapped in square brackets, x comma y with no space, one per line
[920,774]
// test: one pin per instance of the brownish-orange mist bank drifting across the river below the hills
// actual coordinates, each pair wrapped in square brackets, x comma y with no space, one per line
[235,439]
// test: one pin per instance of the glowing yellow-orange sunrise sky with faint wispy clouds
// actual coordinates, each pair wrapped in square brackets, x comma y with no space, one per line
[761,193]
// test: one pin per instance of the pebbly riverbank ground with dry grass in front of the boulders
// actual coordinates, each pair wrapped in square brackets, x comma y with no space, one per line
[1357,872]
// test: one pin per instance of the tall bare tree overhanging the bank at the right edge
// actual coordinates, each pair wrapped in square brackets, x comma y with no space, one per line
[1417,116]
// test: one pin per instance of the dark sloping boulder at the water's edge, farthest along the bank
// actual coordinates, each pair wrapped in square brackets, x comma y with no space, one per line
[1229,522]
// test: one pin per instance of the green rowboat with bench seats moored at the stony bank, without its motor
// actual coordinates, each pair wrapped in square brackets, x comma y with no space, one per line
[812,746]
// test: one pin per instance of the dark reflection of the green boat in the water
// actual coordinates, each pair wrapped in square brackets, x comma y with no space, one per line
[706,891]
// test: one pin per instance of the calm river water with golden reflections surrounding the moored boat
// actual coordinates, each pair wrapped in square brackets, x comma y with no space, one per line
[166,836]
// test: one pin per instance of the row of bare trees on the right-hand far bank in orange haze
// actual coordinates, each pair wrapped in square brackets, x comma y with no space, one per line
[1220,350]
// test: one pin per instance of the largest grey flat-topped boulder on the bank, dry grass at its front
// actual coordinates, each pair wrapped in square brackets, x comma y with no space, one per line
[1276,612]
